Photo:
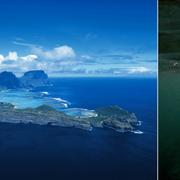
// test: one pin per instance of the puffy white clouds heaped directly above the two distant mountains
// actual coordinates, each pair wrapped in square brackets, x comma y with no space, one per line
[52,60]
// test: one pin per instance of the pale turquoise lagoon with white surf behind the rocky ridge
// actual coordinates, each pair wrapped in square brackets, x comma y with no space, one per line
[28,99]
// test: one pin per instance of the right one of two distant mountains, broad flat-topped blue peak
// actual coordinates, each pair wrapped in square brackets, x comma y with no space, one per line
[34,79]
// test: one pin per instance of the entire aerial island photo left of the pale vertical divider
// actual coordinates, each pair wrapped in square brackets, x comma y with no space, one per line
[78,90]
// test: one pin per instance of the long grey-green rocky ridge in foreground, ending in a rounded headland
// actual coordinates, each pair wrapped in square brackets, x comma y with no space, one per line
[112,117]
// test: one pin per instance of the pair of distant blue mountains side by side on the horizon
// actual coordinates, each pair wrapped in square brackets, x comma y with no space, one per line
[30,79]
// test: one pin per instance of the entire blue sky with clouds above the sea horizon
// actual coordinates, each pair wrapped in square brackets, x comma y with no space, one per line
[78,37]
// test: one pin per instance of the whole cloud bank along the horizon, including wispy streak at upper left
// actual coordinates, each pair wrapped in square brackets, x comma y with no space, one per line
[63,60]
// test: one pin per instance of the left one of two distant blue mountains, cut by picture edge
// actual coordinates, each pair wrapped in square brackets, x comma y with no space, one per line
[9,81]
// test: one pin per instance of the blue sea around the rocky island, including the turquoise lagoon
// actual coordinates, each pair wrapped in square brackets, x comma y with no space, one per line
[47,152]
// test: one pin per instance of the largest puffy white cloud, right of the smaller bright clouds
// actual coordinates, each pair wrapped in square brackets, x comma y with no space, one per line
[58,53]
